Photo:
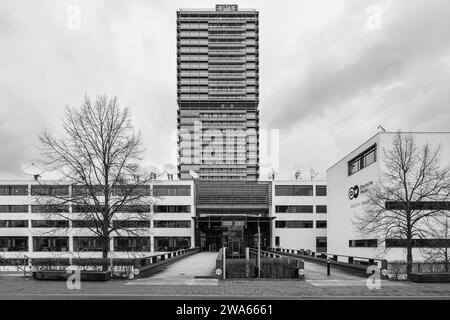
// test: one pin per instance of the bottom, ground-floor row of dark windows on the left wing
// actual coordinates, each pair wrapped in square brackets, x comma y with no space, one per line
[121,244]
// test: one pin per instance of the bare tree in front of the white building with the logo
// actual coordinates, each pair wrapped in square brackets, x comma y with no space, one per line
[400,204]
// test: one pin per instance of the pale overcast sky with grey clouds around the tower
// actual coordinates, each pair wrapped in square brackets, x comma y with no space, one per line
[330,71]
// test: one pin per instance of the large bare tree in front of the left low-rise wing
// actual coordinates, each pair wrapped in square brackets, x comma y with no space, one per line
[97,155]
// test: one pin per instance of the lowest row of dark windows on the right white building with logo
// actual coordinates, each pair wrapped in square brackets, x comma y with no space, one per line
[400,243]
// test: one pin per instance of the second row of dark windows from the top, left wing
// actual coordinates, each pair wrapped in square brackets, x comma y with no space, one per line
[86,209]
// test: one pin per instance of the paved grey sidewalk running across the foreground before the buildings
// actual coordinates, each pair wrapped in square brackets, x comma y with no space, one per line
[20,288]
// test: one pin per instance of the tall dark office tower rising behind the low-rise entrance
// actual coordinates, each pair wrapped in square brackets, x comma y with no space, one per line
[217,79]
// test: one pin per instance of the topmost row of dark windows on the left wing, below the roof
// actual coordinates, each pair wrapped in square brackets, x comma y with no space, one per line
[39,190]
